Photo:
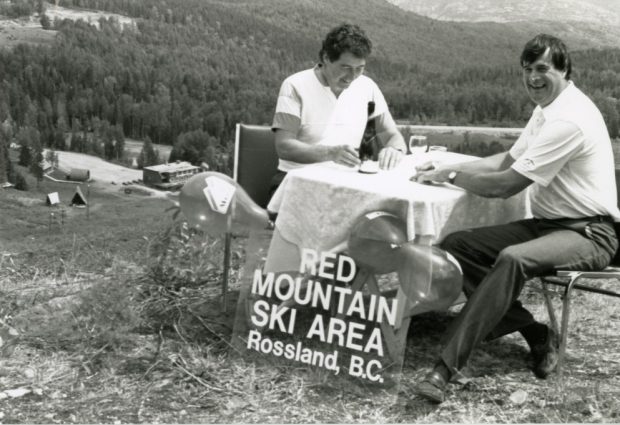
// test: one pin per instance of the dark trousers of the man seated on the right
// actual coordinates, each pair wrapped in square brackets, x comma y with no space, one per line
[498,260]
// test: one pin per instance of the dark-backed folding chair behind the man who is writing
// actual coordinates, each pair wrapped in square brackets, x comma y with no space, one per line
[255,163]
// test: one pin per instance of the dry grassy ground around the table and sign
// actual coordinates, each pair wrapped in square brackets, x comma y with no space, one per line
[128,327]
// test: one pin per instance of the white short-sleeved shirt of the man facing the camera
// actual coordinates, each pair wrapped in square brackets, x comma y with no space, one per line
[565,149]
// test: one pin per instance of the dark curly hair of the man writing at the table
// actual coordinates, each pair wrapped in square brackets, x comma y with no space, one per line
[345,38]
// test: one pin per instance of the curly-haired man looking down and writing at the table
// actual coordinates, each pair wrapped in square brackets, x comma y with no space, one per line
[321,112]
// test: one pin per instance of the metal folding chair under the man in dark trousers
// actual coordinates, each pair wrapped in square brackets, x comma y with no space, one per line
[571,280]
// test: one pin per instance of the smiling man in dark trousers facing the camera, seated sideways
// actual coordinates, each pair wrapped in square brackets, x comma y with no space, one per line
[564,156]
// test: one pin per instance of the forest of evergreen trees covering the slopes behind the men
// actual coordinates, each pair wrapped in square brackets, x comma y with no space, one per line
[191,69]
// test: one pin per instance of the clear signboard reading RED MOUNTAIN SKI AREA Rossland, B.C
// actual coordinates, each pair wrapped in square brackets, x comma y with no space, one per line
[320,317]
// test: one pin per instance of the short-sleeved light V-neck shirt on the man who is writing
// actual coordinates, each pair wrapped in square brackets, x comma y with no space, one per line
[314,113]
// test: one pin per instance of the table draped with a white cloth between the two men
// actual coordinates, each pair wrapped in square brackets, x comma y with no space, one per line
[317,205]
